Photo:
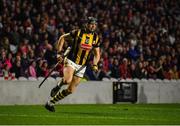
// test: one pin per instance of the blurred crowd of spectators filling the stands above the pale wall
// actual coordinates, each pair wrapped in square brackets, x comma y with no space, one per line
[140,38]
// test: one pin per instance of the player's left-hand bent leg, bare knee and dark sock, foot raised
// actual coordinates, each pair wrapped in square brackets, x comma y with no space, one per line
[67,78]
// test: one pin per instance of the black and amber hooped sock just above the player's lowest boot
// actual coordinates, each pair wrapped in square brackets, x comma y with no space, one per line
[60,95]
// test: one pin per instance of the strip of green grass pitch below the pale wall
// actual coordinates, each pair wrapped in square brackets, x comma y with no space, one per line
[92,114]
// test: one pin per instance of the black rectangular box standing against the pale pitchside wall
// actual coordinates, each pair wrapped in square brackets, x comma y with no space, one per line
[124,92]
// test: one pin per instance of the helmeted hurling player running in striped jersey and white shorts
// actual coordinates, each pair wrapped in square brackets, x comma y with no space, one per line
[83,42]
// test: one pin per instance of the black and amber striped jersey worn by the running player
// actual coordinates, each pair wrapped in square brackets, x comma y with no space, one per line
[82,45]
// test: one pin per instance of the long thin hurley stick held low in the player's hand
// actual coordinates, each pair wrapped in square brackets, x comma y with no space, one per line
[59,61]
